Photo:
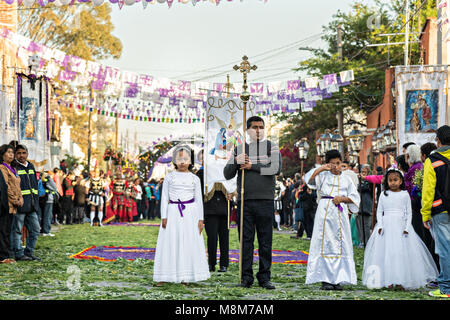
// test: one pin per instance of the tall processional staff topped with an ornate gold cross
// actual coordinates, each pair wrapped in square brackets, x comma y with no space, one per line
[244,68]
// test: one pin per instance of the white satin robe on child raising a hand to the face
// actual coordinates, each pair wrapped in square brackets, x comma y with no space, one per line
[331,251]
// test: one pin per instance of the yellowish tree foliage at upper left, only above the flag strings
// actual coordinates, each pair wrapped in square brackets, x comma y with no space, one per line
[80,30]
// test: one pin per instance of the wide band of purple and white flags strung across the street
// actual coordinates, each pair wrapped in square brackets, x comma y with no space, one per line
[142,97]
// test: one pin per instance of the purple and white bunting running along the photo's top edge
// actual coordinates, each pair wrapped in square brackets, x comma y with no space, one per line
[120,3]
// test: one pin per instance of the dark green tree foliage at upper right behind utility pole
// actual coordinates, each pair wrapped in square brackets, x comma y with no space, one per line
[368,63]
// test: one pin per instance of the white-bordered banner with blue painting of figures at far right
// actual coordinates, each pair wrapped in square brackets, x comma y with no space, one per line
[421,102]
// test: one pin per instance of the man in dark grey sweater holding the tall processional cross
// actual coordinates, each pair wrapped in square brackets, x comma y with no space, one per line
[261,162]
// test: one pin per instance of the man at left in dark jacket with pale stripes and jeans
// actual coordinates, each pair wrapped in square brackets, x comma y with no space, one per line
[27,214]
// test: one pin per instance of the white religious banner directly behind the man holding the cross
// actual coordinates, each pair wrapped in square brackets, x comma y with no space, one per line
[223,132]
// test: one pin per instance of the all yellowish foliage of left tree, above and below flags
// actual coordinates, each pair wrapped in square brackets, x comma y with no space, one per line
[84,31]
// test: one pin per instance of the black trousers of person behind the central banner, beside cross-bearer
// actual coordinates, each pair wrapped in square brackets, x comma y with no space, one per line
[217,228]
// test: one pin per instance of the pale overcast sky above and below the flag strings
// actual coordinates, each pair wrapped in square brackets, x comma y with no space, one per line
[179,42]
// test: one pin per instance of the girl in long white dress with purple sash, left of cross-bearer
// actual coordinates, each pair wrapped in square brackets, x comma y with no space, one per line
[180,250]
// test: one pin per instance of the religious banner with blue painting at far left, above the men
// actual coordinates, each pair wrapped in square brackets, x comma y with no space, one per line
[32,108]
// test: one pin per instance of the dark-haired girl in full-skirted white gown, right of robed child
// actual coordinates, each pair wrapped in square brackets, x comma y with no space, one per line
[395,255]
